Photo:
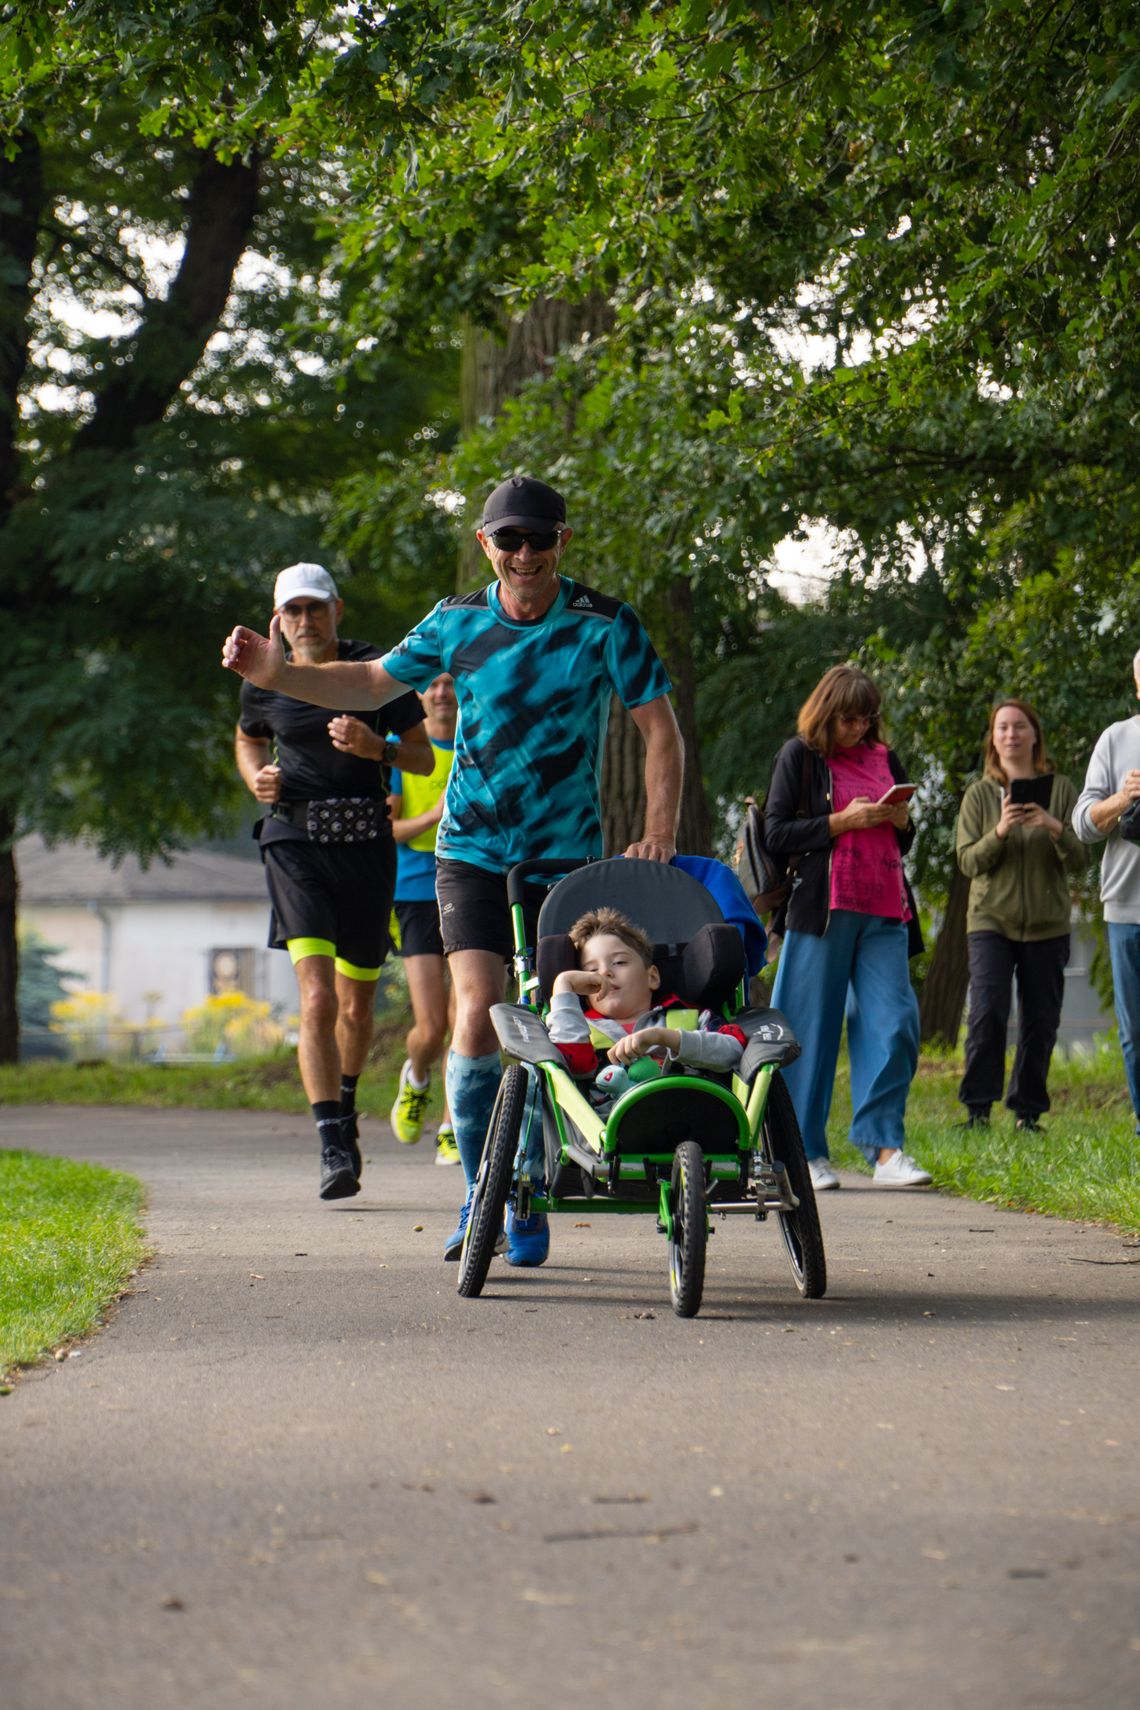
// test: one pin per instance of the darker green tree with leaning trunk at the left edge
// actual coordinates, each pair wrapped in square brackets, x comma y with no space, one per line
[179,406]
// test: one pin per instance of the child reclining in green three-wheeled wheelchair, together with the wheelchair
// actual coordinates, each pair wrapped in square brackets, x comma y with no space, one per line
[602,999]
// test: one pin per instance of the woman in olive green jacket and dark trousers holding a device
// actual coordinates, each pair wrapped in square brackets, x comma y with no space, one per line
[1018,858]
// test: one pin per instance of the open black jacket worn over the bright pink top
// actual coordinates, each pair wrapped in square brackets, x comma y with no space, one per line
[808,837]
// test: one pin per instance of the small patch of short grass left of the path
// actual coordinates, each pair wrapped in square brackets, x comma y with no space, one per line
[69,1239]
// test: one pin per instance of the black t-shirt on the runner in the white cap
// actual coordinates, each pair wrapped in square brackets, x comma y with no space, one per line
[312,769]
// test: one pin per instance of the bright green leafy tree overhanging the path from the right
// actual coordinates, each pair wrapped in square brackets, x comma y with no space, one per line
[939,199]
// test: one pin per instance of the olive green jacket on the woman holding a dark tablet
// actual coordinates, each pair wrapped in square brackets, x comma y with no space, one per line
[1018,885]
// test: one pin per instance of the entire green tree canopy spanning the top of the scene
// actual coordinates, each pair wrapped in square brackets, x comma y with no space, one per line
[871,264]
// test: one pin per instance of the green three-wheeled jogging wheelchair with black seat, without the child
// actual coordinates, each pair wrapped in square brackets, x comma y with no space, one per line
[685,1147]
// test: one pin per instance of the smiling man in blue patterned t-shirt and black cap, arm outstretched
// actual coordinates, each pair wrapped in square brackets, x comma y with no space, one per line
[536,659]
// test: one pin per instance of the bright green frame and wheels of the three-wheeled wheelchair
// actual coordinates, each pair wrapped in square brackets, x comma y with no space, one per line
[683,1147]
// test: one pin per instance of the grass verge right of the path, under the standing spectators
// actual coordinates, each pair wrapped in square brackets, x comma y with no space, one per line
[1084,1165]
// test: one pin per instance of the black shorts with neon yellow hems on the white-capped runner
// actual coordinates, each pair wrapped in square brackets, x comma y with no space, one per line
[336,892]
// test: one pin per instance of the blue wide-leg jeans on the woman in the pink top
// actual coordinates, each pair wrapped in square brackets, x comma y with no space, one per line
[857,969]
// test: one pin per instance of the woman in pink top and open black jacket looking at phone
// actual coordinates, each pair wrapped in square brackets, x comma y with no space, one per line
[849,926]
